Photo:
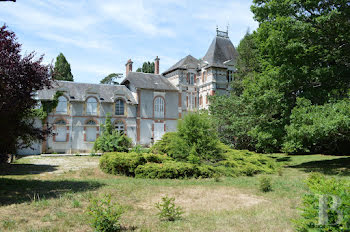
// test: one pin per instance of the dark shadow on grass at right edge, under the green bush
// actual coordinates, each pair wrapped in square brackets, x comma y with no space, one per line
[340,166]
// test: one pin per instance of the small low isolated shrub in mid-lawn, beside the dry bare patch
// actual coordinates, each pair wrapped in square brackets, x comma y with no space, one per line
[168,211]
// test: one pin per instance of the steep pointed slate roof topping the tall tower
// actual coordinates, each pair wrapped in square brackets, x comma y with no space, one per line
[220,50]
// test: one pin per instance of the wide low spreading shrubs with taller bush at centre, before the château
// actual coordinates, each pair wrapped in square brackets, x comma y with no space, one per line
[193,151]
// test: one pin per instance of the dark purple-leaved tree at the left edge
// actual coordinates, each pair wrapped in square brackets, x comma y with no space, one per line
[20,79]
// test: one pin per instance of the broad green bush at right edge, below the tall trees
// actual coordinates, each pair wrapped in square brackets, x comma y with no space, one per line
[319,128]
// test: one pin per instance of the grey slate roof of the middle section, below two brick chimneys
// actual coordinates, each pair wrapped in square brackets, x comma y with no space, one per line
[148,81]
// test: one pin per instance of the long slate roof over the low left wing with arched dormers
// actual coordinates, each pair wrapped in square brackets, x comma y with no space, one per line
[80,91]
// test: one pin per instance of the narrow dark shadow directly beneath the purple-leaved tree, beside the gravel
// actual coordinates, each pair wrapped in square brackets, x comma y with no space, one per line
[25,169]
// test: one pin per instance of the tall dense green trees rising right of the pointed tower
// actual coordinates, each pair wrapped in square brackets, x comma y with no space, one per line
[301,50]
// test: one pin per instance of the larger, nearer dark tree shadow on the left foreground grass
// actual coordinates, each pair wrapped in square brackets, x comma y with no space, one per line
[14,191]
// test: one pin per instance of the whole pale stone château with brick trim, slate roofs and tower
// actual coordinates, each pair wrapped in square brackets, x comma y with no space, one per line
[144,106]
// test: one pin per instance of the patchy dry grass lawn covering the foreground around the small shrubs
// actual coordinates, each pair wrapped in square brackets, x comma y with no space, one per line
[52,194]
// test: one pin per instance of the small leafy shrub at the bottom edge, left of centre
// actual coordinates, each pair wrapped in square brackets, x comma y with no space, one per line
[105,215]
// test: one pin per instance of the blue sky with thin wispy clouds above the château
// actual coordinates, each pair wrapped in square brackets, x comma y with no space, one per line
[98,37]
